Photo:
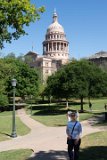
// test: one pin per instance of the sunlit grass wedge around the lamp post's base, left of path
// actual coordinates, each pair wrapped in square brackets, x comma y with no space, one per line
[6,126]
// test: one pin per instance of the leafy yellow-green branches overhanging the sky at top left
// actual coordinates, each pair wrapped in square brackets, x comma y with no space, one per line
[14,15]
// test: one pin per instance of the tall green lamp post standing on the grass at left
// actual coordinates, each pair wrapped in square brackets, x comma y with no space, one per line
[13,135]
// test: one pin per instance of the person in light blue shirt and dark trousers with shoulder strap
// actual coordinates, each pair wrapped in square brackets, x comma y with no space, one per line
[73,131]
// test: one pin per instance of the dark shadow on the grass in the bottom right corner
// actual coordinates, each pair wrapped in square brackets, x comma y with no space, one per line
[94,153]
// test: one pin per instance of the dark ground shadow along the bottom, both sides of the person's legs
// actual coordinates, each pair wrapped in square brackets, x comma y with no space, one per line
[89,153]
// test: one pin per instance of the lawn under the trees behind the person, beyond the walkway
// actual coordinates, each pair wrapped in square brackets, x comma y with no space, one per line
[55,114]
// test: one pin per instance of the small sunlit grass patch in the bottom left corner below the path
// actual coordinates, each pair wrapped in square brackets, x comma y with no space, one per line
[21,154]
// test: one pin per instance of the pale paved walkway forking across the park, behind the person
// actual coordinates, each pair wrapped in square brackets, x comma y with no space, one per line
[48,143]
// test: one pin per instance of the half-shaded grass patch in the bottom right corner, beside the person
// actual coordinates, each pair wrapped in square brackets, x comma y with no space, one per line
[94,147]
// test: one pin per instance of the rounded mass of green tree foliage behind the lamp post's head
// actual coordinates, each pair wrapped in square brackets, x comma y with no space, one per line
[27,78]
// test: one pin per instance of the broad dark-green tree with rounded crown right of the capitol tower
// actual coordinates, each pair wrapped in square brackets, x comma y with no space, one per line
[78,79]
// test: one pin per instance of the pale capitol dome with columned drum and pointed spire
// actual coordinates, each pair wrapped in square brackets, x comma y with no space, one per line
[55,44]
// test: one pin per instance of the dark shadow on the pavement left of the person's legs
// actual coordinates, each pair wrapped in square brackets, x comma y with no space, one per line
[51,155]
